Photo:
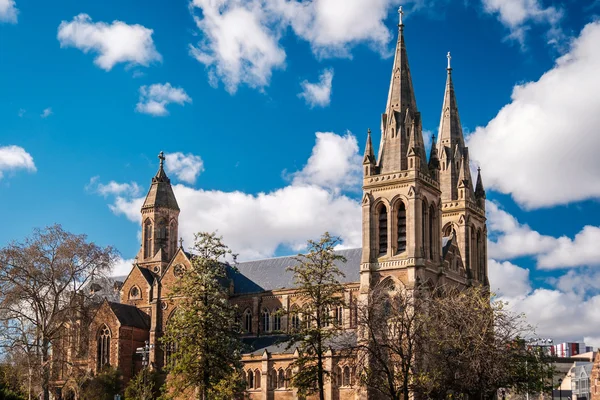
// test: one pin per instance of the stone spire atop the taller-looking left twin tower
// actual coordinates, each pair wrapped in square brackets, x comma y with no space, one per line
[400,108]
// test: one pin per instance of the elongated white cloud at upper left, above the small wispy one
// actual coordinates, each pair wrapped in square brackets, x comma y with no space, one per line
[114,43]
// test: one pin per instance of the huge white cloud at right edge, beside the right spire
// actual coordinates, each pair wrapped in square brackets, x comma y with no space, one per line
[541,148]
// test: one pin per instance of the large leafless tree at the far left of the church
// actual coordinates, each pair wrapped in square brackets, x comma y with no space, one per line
[40,293]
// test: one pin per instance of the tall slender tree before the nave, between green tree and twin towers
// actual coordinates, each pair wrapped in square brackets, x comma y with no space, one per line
[319,292]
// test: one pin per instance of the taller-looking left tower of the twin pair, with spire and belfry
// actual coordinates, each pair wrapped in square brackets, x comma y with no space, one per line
[401,201]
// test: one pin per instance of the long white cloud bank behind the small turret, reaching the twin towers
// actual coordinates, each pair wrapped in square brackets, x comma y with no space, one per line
[312,203]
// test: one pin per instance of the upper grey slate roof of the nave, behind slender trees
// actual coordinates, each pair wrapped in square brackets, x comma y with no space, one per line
[272,274]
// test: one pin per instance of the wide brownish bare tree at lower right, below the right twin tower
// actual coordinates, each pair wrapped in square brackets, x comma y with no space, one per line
[475,347]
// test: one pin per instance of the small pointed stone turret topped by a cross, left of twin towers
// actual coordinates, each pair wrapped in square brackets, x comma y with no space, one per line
[160,214]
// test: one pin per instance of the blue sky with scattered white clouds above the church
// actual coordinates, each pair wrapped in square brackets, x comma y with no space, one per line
[92,91]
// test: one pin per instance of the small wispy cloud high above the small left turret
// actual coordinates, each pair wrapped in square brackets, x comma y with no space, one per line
[155,98]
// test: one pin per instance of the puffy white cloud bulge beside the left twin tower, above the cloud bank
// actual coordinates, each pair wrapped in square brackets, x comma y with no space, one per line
[334,163]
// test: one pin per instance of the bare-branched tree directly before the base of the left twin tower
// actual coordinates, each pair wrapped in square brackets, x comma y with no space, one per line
[392,324]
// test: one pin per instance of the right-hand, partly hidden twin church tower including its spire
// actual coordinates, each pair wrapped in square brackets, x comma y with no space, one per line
[463,208]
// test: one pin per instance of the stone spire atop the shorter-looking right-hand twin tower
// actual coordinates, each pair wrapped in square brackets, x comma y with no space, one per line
[450,142]
